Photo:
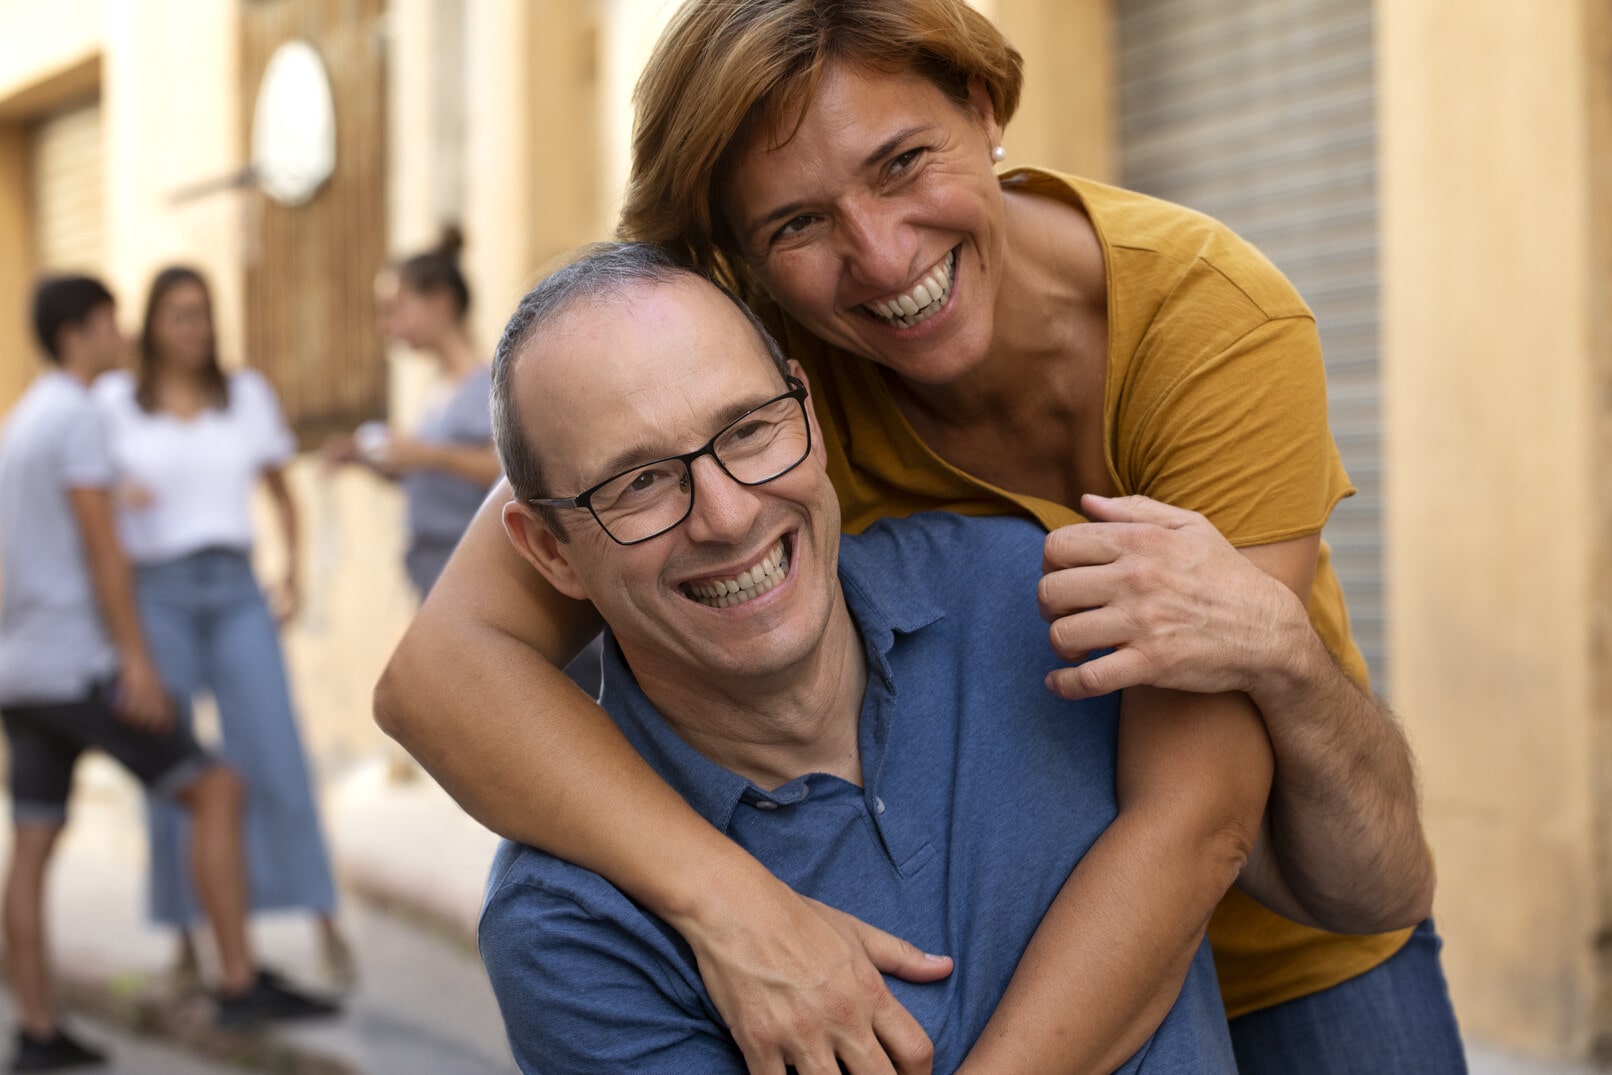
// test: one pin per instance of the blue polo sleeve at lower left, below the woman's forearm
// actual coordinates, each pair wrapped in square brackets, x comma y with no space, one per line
[589,992]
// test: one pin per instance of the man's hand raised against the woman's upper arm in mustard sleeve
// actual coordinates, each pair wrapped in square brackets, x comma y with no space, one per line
[1178,604]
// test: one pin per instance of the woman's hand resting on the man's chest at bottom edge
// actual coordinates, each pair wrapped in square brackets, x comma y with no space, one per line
[808,994]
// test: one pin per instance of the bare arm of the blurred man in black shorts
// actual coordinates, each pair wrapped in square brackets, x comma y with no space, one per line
[141,700]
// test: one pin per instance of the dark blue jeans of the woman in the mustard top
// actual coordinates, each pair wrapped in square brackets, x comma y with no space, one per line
[1395,1018]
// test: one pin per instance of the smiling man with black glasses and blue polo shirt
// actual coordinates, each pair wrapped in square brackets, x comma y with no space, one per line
[865,715]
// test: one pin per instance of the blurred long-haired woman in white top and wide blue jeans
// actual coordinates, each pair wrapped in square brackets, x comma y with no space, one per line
[189,444]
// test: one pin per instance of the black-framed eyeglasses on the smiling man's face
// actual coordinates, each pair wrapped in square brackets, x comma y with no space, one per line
[652,499]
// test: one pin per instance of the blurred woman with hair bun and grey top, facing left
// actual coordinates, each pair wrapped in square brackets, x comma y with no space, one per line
[447,463]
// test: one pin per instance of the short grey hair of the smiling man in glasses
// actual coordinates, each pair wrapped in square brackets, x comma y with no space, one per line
[597,272]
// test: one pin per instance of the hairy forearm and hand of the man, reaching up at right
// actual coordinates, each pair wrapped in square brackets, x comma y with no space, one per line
[1186,610]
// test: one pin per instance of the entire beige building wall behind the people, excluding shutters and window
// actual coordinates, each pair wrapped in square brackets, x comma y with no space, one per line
[1497,336]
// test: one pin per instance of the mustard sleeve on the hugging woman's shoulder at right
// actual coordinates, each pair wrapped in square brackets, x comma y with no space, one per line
[1229,418]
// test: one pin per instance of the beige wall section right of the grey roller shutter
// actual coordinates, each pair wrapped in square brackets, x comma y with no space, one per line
[1495,510]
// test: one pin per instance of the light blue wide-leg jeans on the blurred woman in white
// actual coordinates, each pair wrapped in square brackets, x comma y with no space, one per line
[210,631]
